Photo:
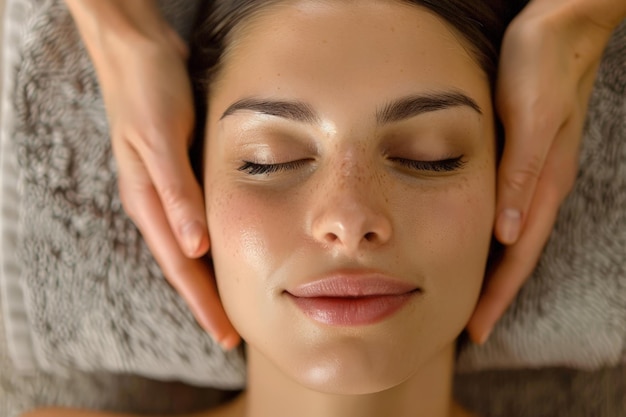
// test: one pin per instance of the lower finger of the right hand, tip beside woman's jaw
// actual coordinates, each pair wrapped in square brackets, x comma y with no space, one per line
[517,264]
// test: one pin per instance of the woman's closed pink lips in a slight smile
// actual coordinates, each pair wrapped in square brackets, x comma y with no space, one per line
[352,300]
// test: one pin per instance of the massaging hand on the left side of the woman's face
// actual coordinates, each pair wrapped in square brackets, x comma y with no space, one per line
[141,66]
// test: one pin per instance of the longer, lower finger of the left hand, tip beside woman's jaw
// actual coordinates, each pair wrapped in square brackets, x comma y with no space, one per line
[191,278]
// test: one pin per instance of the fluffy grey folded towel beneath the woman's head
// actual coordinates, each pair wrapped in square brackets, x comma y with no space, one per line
[96,300]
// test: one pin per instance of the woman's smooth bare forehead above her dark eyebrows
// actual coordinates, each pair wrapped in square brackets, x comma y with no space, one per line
[347,49]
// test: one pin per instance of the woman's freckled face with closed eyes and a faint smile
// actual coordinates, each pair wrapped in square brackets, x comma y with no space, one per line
[350,189]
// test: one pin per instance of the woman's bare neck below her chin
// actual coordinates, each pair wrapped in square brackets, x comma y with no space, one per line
[428,393]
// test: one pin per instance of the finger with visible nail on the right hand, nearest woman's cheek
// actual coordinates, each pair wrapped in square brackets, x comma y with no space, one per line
[530,131]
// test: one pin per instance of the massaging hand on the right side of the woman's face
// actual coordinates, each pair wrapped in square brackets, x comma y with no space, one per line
[550,55]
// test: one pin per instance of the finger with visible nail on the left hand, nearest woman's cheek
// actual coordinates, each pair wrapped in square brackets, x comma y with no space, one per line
[179,194]
